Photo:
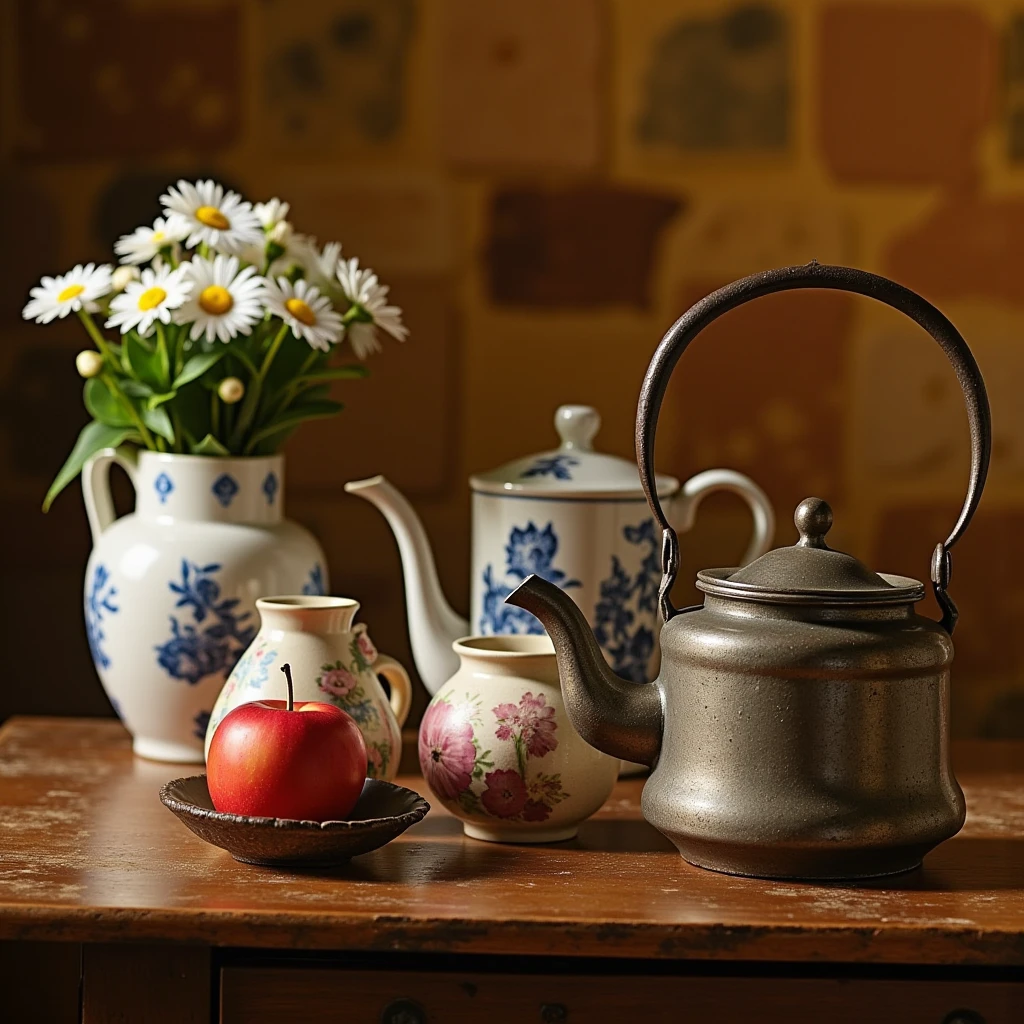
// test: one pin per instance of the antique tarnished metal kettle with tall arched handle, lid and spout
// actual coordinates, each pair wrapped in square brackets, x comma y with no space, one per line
[800,726]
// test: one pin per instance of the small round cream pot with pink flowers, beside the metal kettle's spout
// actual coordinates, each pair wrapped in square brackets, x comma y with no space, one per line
[498,750]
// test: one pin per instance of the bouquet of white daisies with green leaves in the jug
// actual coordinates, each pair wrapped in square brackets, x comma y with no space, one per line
[225,326]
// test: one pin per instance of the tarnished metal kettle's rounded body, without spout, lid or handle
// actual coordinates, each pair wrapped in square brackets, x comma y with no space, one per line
[807,747]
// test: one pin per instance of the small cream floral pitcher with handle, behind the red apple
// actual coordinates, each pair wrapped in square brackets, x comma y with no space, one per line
[333,661]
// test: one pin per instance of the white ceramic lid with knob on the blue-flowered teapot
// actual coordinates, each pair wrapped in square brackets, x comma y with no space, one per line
[572,471]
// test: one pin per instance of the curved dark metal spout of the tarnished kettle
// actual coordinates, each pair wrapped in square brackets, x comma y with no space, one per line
[617,716]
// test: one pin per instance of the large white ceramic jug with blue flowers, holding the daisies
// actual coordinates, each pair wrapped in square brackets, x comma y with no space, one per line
[172,588]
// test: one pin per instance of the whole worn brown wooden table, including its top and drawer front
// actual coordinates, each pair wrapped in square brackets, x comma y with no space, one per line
[132,918]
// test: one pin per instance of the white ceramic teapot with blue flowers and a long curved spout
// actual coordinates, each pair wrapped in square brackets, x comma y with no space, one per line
[575,517]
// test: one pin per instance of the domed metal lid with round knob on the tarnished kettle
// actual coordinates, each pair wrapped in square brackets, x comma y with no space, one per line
[810,572]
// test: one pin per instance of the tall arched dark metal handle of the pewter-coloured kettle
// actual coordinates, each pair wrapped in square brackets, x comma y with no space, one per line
[842,279]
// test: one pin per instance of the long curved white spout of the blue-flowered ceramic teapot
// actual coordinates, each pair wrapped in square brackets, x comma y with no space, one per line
[434,626]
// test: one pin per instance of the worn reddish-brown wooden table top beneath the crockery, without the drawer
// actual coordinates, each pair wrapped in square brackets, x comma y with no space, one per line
[90,855]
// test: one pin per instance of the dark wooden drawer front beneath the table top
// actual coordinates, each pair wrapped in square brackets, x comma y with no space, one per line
[254,996]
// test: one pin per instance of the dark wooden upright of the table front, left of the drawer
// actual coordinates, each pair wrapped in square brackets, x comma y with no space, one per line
[132,985]
